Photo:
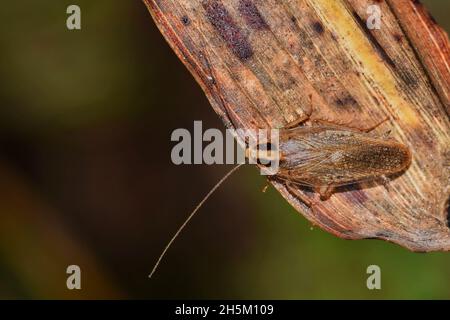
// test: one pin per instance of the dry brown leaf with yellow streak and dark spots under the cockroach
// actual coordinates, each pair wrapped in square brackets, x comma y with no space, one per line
[259,61]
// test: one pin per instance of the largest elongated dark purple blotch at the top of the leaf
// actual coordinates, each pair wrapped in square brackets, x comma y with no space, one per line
[222,21]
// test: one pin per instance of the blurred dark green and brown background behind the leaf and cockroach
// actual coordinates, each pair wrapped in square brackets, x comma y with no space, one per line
[86,178]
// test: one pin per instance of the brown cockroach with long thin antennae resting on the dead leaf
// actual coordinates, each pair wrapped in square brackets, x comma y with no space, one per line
[322,156]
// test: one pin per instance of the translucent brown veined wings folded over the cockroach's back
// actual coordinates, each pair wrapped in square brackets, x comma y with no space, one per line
[319,156]
